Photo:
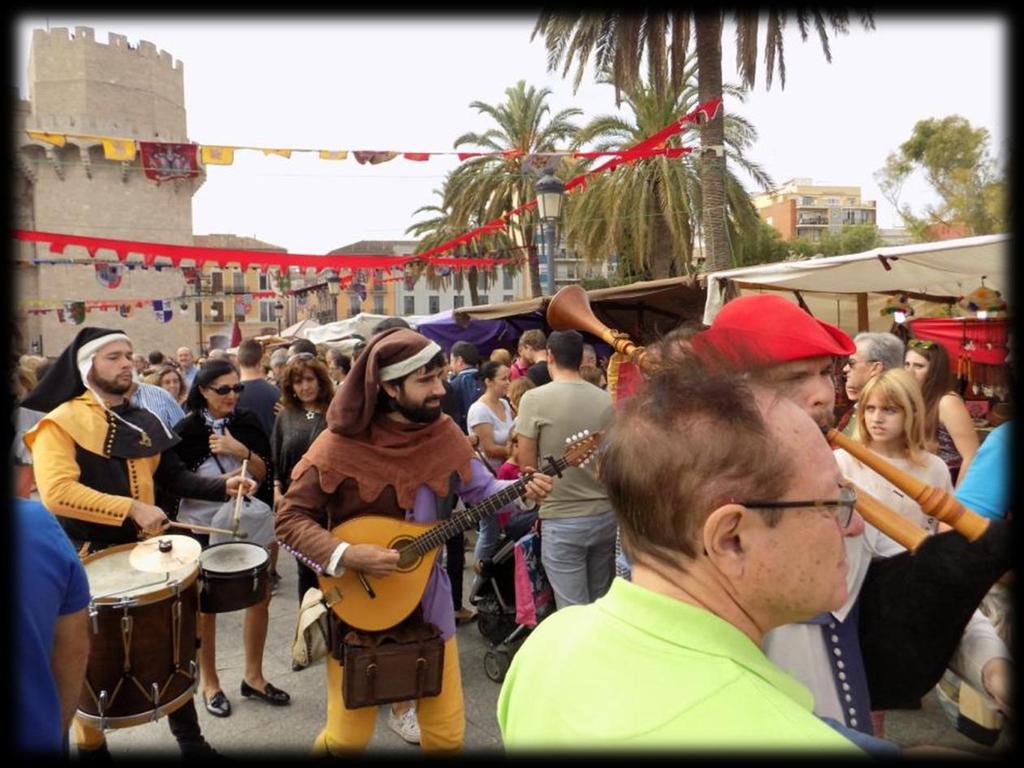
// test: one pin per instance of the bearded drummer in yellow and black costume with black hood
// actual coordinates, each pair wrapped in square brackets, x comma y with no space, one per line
[98,462]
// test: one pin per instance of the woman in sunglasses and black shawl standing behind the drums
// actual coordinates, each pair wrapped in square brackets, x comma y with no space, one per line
[217,438]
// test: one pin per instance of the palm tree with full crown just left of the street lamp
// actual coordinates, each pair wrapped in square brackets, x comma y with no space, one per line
[484,189]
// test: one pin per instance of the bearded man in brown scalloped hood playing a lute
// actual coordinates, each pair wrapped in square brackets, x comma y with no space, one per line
[388,451]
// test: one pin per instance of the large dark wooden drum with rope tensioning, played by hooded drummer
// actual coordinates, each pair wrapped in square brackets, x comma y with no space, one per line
[144,632]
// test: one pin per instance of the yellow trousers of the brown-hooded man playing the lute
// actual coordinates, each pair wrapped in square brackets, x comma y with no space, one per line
[442,718]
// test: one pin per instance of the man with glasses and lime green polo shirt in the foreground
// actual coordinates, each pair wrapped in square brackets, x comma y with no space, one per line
[733,531]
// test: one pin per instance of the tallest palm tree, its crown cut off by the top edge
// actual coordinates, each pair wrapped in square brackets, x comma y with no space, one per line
[619,41]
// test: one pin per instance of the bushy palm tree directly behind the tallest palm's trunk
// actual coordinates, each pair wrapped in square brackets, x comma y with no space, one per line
[649,214]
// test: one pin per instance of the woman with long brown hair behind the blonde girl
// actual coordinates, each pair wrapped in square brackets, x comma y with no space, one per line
[949,426]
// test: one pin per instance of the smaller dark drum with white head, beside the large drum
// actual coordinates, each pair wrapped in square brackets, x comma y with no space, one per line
[235,576]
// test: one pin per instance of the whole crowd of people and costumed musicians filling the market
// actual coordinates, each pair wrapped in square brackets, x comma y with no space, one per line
[754,609]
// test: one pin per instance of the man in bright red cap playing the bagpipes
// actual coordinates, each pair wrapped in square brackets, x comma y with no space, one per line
[891,642]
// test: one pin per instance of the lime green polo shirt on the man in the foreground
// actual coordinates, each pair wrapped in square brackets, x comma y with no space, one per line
[637,669]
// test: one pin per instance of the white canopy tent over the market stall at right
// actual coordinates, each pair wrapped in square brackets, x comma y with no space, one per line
[940,273]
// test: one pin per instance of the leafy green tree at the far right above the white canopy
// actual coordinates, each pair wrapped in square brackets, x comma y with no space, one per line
[956,161]
